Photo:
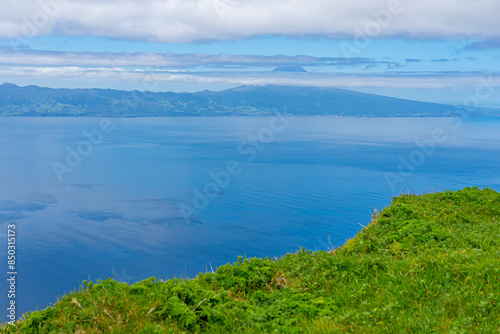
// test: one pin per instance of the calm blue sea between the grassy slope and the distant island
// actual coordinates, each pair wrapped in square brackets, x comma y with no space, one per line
[125,202]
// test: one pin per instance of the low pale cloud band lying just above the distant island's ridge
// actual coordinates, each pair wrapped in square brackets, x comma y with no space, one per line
[115,76]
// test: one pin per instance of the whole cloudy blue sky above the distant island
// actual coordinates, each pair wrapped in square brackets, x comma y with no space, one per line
[445,51]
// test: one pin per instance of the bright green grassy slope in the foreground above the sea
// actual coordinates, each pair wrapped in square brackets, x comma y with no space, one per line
[425,264]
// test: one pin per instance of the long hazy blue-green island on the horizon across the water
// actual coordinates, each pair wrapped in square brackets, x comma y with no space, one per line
[240,101]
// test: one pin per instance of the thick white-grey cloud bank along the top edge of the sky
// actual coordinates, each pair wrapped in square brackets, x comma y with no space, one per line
[180,21]
